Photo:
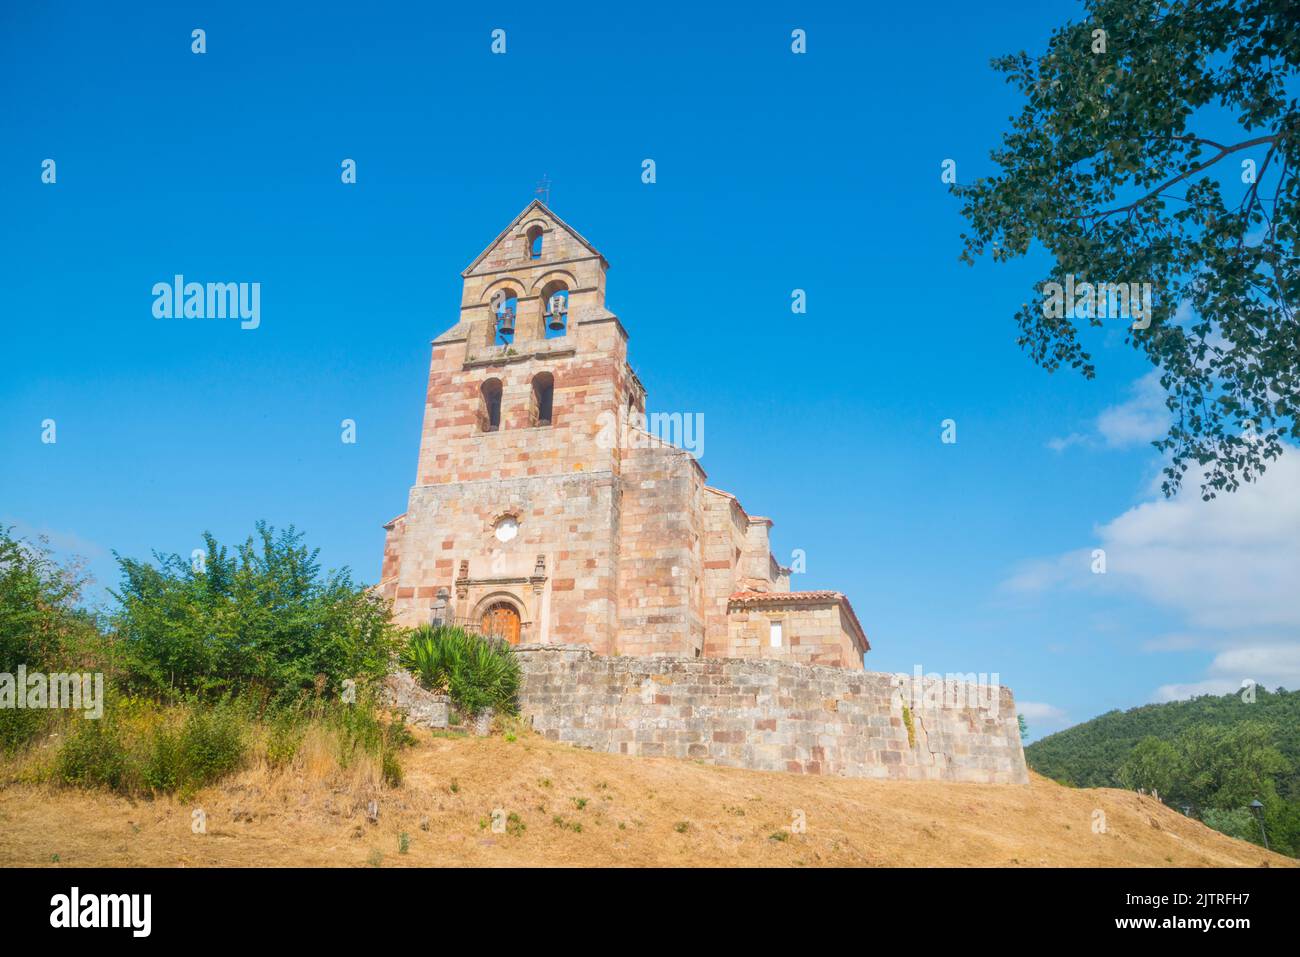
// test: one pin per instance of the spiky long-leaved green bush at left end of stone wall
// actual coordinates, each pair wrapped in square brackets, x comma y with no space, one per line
[478,673]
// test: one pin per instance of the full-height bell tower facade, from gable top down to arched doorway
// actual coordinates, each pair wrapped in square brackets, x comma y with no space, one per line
[515,505]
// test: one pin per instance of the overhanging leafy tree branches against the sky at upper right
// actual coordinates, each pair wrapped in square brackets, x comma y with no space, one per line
[1112,167]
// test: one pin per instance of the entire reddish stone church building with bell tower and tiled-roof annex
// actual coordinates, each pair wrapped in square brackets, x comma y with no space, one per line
[535,518]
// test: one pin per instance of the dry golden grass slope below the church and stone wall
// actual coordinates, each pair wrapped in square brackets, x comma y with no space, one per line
[586,809]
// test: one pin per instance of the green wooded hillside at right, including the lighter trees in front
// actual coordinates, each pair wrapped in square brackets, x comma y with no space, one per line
[1214,755]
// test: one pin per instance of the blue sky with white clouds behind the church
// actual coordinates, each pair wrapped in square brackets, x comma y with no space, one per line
[775,172]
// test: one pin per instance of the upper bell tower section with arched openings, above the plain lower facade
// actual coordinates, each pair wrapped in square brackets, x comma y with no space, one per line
[519,384]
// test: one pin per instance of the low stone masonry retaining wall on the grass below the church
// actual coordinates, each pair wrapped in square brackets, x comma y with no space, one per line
[766,716]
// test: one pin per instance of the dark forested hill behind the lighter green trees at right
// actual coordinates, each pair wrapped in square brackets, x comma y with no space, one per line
[1090,755]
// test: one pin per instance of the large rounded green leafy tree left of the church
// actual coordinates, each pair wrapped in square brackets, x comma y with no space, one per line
[263,618]
